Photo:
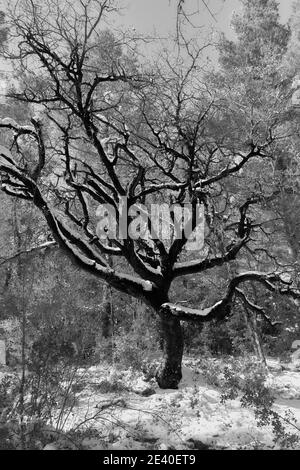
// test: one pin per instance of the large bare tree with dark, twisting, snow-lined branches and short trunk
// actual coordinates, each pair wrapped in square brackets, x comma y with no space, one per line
[110,130]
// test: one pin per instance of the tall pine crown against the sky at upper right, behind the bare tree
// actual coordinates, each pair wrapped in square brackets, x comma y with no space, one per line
[252,67]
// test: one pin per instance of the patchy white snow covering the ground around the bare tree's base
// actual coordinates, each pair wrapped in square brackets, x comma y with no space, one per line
[145,417]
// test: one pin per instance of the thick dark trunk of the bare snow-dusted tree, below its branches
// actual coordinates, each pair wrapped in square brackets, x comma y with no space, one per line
[169,373]
